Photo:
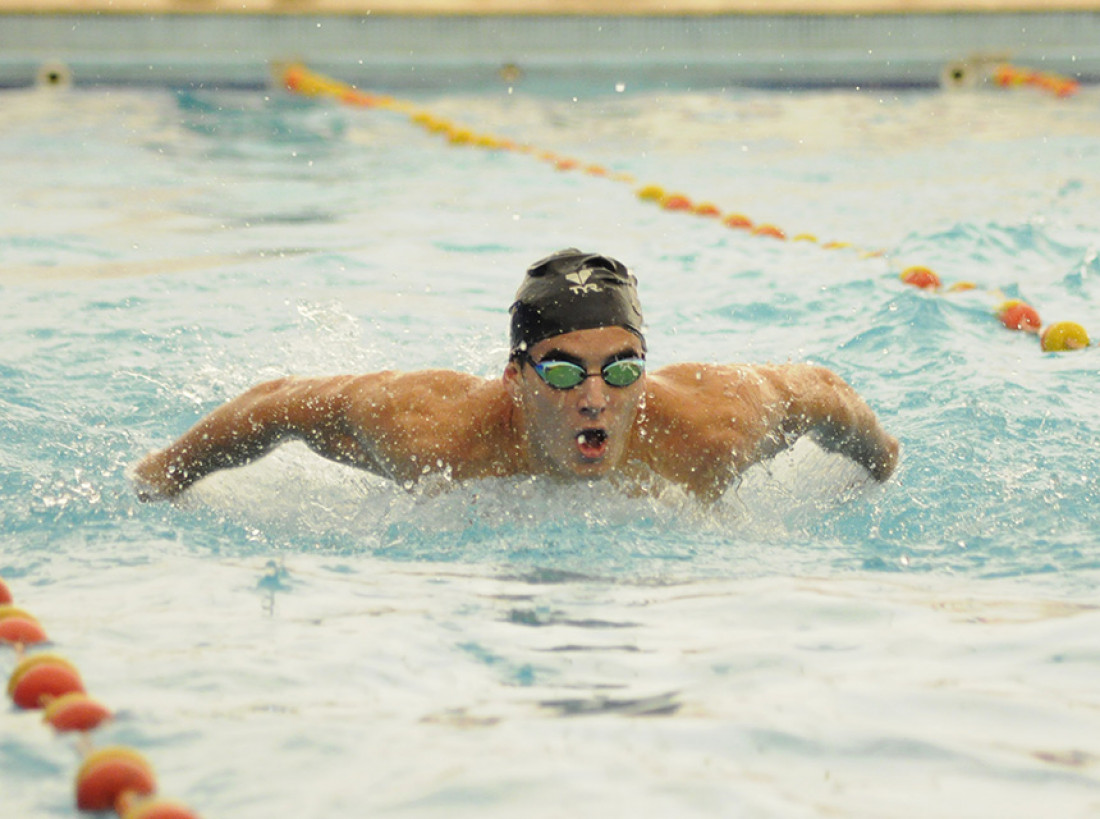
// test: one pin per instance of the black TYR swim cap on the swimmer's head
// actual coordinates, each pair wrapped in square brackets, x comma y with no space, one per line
[571,291]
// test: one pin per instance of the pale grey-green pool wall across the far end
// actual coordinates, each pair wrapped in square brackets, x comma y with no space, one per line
[468,51]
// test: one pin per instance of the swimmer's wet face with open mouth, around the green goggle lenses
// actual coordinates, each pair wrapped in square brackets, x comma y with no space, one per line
[584,433]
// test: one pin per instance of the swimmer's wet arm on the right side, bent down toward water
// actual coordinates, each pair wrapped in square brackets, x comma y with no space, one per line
[822,405]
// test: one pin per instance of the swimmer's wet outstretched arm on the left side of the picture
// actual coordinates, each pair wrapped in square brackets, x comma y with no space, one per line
[313,411]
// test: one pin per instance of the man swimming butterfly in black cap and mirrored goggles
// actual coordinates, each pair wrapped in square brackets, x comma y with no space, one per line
[575,404]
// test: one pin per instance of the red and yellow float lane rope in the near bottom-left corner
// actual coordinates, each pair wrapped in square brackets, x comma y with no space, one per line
[114,778]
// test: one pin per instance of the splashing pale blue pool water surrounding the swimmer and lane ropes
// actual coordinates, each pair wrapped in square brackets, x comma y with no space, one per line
[300,640]
